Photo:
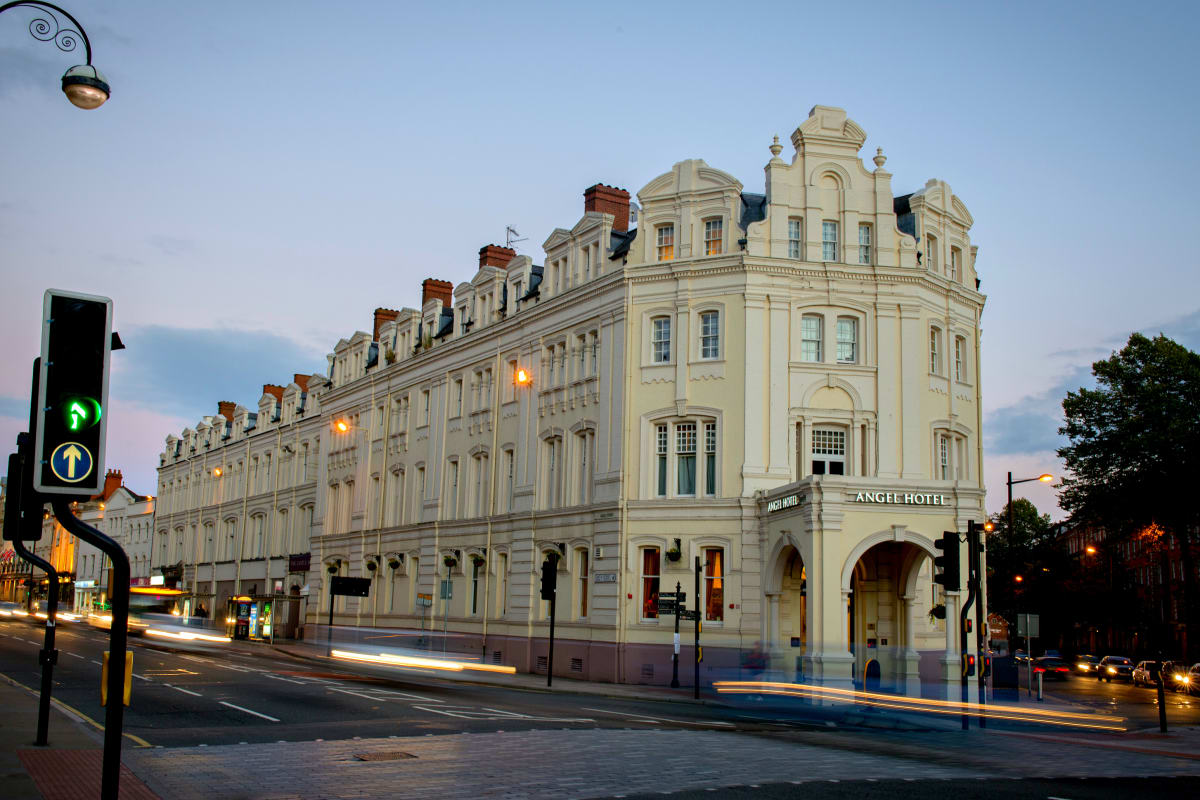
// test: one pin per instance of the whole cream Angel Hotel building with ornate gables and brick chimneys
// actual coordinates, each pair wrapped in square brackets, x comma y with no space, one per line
[781,387]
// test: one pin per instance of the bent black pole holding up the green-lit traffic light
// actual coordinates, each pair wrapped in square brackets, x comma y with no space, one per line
[115,712]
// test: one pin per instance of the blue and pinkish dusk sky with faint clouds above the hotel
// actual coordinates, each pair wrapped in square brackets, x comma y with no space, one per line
[267,175]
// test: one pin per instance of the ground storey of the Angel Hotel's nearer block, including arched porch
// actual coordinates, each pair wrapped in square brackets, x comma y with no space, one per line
[827,580]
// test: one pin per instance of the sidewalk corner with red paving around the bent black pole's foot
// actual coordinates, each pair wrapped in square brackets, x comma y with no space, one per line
[69,768]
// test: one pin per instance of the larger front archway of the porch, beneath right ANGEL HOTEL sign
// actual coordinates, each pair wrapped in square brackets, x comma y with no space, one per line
[887,616]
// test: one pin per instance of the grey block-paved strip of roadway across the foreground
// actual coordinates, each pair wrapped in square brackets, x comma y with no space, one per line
[590,763]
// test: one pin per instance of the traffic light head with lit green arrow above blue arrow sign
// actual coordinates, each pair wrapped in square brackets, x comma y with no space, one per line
[73,396]
